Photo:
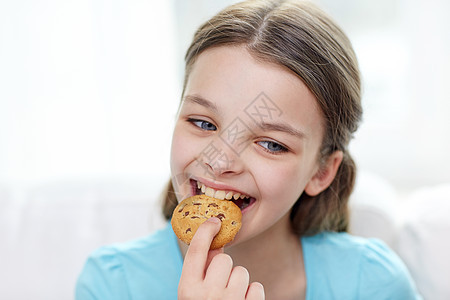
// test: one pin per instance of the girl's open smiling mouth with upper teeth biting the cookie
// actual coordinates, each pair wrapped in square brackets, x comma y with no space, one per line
[241,200]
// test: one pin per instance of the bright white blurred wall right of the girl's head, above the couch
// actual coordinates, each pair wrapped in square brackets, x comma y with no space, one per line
[402,47]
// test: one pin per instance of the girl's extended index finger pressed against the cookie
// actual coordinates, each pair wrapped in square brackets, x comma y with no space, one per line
[197,253]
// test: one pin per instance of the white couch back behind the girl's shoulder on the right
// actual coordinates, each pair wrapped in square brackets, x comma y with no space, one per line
[415,224]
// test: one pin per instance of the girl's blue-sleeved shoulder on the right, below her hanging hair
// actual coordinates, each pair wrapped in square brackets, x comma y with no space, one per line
[367,267]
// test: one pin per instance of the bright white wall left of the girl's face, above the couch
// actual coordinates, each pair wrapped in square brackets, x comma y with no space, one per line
[88,89]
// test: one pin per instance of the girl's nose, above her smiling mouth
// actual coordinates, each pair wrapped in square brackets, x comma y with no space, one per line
[219,159]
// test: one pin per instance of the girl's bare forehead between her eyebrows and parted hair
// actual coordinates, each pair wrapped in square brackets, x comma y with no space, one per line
[231,78]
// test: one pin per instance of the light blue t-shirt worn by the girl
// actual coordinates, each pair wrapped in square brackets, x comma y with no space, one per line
[337,266]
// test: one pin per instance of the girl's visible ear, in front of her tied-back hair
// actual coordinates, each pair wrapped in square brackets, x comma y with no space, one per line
[325,175]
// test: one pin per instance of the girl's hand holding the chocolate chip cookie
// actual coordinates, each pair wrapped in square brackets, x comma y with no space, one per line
[209,274]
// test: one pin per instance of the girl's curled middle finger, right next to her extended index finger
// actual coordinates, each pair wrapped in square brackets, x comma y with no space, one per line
[218,272]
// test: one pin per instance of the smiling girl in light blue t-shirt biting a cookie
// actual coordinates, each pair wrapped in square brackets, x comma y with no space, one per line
[271,99]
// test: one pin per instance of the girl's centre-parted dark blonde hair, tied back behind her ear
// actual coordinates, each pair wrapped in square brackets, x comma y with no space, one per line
[302,38]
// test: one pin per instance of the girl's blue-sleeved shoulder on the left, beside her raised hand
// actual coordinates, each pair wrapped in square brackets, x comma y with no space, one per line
[144,266]
